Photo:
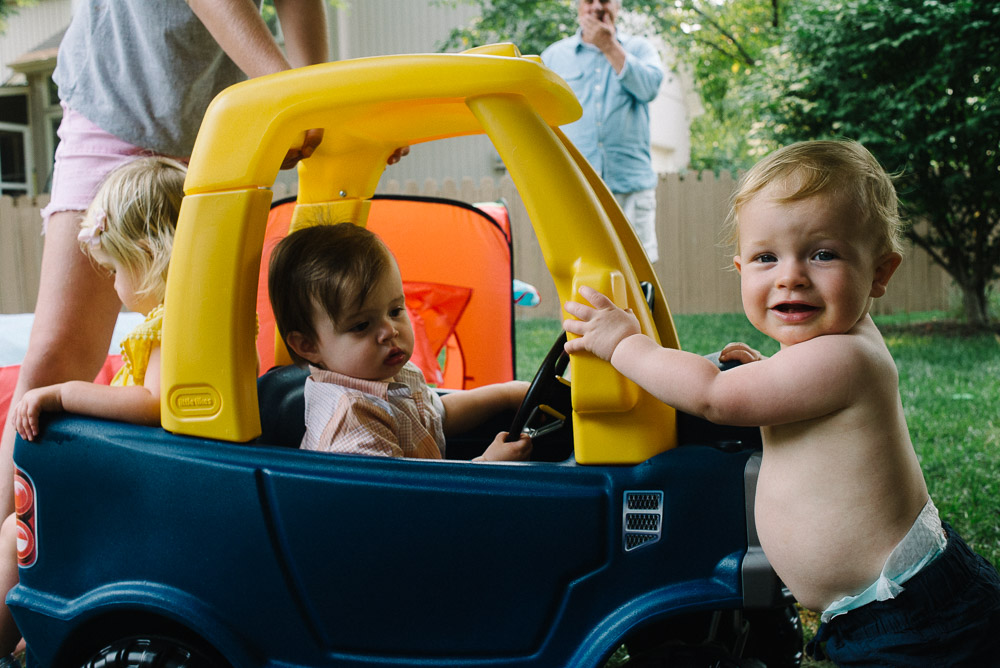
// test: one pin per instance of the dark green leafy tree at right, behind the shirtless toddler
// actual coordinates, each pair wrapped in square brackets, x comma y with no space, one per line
[918,83]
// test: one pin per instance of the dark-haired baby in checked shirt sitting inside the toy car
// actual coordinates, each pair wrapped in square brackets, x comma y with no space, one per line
[338,302]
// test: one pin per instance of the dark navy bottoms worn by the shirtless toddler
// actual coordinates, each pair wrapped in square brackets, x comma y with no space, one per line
[947,615]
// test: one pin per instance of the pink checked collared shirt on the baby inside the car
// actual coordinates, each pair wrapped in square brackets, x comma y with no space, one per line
[396,418]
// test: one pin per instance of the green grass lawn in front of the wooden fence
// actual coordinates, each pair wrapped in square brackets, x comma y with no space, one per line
[950,390]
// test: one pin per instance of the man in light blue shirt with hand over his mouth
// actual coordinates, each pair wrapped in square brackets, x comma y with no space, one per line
[615,77]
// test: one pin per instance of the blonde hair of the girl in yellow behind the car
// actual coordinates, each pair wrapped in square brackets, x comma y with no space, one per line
[133,217]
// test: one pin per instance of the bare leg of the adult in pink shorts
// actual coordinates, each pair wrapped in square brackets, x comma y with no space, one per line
[74,320]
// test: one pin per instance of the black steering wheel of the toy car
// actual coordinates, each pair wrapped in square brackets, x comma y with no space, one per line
[546,406]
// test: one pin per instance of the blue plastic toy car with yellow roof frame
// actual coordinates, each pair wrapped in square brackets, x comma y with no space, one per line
[215,542]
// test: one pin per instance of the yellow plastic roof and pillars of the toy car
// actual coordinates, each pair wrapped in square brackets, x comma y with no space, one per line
[368,107]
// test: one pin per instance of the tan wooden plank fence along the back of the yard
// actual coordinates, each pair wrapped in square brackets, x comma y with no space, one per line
[695,271]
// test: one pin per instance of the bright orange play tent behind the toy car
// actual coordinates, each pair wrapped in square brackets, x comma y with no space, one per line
[456,264]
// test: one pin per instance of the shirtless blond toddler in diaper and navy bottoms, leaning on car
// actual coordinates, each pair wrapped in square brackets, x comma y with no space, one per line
[842,509]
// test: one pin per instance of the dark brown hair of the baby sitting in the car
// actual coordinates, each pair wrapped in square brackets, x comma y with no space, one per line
[328,267]
